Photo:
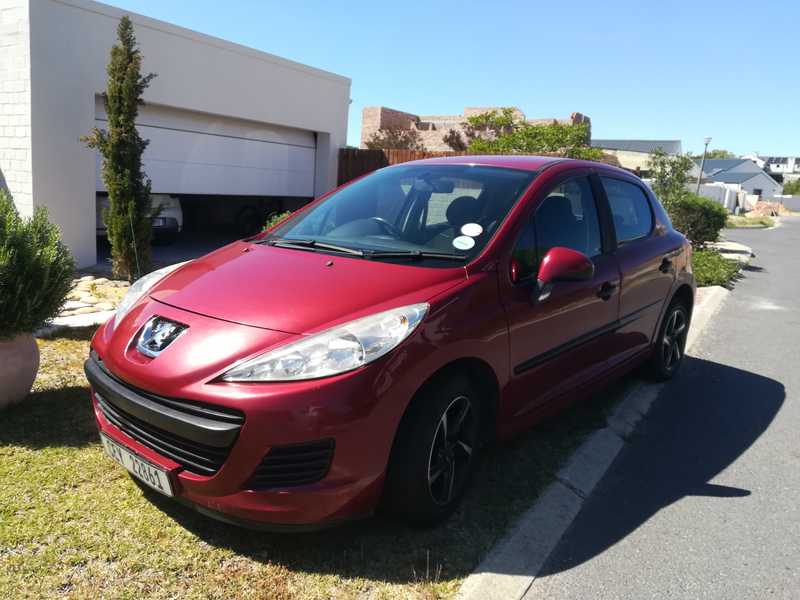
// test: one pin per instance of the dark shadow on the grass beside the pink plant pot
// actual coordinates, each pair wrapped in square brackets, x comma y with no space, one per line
[50,418]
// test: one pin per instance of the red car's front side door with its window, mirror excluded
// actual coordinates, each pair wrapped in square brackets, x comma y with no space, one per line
[564,341]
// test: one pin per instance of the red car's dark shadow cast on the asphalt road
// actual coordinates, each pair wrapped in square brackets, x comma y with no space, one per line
[703,422]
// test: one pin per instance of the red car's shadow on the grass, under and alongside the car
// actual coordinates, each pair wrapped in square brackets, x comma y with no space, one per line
[508,478]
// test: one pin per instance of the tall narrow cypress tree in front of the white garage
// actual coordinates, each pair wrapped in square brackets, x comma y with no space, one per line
[129,220]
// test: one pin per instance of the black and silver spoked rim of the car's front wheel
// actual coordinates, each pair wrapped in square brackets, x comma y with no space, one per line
[451,451]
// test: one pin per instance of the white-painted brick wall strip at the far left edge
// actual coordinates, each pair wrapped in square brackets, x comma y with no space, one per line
[15,103]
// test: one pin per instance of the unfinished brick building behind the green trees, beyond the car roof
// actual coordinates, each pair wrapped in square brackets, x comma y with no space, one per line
[433,128]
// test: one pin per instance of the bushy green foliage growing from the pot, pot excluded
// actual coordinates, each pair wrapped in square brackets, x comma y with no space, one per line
[36,270]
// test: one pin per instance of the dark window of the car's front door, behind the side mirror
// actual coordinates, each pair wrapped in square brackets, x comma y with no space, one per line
[567,218]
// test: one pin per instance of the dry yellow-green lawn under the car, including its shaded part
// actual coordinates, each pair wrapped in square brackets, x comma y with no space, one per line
[75,525]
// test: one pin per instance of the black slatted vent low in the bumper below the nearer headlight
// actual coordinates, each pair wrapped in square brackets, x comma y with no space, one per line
[296,464]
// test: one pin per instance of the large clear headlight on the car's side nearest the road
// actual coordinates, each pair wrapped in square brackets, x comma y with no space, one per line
[334,351]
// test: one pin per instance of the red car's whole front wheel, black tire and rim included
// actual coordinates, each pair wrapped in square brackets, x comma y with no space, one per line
[431,460]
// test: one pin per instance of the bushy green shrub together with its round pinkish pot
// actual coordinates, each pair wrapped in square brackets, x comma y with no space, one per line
[36,273]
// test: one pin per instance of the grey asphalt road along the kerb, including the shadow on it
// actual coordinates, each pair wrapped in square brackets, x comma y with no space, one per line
[704,500]
